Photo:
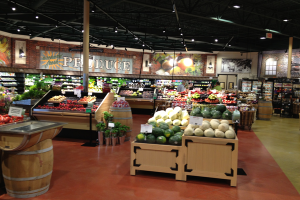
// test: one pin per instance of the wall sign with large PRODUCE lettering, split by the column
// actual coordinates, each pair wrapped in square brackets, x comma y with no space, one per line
[74,62]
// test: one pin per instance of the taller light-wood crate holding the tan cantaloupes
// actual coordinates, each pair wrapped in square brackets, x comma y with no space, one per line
[210,157]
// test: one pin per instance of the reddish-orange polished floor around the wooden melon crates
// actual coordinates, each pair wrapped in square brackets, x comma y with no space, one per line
[103,173]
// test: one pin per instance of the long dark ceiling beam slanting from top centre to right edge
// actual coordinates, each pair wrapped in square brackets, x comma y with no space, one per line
[210,19]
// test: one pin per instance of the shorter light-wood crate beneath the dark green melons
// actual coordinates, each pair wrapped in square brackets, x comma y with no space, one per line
[156,158]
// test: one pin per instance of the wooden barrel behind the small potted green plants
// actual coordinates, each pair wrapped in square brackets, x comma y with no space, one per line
[124,116]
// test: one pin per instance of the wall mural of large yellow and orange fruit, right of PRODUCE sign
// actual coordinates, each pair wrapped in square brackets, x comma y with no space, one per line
[184,64]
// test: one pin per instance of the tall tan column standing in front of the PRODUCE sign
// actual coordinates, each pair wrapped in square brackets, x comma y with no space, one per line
[86,33]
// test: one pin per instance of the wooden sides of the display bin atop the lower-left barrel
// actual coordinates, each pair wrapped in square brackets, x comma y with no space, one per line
[17,142]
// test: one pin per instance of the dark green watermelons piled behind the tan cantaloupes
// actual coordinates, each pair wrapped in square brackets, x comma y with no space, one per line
[217,112]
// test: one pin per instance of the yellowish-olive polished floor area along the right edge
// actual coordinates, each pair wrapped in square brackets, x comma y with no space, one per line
[281,137]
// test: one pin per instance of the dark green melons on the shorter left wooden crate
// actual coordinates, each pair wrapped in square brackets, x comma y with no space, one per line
[162,134]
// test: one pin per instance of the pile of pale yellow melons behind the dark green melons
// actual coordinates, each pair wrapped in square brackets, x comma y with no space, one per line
[176,117]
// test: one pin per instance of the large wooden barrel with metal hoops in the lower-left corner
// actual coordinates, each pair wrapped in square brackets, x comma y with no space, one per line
[28,173]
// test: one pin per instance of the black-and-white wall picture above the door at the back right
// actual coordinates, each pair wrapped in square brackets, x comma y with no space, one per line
[236,65]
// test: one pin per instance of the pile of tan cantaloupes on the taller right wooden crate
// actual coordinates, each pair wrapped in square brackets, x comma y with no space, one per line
[214,128]
